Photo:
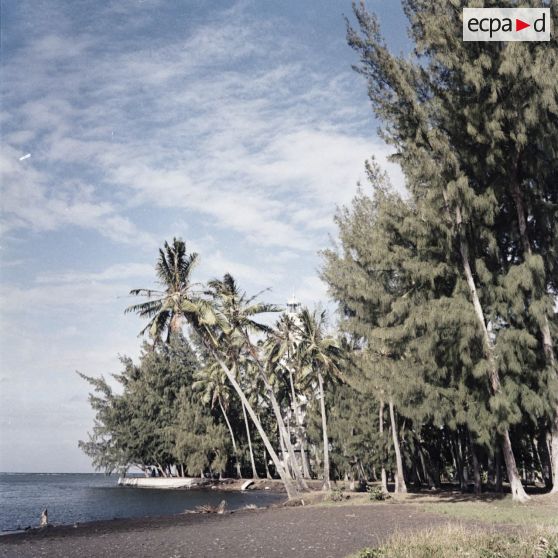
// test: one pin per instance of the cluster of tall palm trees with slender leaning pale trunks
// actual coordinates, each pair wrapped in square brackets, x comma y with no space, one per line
[245,358]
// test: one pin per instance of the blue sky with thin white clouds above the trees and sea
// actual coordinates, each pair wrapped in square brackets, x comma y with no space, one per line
[238,126]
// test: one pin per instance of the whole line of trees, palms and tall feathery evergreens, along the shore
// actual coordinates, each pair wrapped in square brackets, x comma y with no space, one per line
[442,366]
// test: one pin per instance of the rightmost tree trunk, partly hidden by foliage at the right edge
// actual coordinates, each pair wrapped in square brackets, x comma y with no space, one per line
[548,345]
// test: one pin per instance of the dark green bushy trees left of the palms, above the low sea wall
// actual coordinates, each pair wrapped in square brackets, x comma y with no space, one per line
[154,417]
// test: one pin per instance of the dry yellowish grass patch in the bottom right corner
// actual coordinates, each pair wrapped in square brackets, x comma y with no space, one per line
[455,541]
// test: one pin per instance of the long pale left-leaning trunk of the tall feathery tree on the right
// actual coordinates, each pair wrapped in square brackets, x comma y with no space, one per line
[518,493]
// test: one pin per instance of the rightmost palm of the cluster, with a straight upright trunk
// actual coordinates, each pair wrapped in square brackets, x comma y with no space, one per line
[320,357]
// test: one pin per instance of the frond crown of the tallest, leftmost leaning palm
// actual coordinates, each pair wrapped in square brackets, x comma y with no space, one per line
[165,307]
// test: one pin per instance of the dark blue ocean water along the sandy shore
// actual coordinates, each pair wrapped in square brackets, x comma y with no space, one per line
[76,498]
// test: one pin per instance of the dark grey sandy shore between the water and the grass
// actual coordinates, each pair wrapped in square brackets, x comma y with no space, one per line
[288,532]
